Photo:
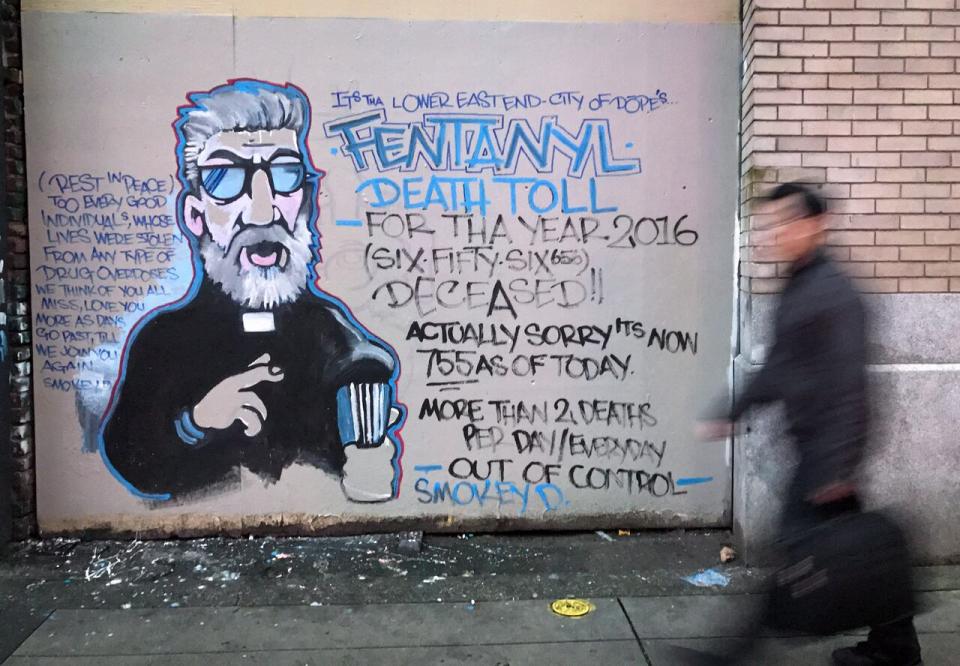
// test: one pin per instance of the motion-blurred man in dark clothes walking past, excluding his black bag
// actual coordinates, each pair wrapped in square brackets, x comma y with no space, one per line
[817,369]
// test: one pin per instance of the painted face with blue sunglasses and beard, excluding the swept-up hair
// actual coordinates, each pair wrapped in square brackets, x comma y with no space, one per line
[251,215]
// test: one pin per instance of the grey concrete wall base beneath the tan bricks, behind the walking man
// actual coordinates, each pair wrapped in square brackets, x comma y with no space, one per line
[914,383]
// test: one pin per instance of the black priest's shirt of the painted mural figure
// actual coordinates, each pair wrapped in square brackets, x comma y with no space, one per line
[179,356]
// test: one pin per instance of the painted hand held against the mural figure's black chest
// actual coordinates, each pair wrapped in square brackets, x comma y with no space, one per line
[234,400]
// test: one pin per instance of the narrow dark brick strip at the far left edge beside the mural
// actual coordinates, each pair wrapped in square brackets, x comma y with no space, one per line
[16,274]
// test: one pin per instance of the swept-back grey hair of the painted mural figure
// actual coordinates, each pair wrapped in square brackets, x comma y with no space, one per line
[244,106]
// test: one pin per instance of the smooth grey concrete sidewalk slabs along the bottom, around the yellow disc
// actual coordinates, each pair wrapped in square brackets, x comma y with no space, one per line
[633,630]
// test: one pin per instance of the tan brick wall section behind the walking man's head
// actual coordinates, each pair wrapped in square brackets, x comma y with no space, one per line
[862,96]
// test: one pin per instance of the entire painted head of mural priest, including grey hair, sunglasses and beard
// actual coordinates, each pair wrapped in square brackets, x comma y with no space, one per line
[249,189]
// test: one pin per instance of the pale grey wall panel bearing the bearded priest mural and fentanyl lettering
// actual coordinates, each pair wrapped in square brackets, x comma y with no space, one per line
[594,288]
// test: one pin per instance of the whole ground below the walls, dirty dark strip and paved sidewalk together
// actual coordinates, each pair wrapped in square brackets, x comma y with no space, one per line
[482,600]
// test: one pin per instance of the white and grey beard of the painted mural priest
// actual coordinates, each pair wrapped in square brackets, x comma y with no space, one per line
[261,288]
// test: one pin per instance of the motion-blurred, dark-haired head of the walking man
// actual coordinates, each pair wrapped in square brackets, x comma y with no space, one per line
[794,218]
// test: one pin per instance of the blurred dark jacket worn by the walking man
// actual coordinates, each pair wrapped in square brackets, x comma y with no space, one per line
[817,367]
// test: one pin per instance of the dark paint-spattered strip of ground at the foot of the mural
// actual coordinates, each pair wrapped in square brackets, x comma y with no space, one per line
[221,571]
